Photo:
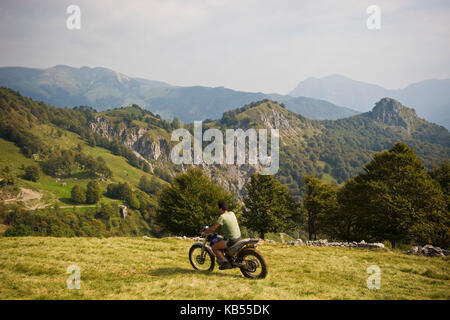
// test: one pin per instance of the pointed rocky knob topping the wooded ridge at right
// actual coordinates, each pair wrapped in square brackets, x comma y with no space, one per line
[393,113]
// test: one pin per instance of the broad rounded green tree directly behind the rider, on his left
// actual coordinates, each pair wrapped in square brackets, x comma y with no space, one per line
[190,202]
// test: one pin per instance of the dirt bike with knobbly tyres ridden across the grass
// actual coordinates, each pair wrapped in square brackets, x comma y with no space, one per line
[242,255]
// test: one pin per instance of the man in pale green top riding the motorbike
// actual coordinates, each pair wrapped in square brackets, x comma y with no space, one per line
[230,230]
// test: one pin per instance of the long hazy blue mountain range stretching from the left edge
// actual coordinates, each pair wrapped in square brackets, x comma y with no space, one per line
[103,89]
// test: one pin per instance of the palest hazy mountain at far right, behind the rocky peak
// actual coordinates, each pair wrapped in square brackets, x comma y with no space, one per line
[430,98]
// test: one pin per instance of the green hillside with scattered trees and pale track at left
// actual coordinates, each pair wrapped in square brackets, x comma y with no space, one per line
[60,143]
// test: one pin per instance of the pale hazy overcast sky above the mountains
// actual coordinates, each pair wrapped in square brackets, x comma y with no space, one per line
[250,45]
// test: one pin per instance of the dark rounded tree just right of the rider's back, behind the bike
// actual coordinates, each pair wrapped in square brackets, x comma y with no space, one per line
[269,207]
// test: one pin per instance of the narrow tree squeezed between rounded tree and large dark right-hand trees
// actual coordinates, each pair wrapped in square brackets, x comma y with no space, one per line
[320,205]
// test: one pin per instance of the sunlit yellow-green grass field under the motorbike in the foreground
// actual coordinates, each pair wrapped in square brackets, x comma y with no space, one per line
[137,268]
